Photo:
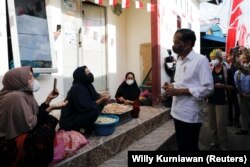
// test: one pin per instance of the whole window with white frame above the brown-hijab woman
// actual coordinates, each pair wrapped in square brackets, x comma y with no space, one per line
[30,37]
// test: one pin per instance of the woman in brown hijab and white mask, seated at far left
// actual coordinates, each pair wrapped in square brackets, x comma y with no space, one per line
[27,130]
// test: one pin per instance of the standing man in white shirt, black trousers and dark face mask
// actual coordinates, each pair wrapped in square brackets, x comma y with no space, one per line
[193,82]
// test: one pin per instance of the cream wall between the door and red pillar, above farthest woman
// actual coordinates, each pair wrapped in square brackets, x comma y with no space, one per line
[138,32]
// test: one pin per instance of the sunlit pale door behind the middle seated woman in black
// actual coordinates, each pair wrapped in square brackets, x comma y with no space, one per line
[93,43]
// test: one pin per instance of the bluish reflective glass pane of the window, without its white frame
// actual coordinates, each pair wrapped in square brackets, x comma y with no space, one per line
[33,35]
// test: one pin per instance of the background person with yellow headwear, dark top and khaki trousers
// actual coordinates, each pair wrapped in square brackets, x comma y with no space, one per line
[218,102]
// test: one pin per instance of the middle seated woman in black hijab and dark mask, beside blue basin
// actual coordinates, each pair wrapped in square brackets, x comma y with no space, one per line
[84,103]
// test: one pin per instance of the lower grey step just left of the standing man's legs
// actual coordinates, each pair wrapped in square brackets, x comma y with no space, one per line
[159,139]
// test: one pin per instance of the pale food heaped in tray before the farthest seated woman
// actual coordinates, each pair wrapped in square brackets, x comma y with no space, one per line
[115,108]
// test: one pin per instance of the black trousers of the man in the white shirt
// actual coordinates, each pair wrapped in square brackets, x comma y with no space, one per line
[187,135]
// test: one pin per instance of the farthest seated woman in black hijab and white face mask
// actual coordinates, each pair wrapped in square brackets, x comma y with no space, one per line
[128,93]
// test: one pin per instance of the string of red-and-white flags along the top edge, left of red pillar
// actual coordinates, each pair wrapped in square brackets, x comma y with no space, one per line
[139,4]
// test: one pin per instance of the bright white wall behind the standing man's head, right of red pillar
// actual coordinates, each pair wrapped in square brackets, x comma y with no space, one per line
[168,25]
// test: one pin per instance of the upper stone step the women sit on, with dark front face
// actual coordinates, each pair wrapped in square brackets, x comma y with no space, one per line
[101,148]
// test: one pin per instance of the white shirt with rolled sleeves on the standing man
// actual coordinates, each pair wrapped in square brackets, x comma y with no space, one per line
[193,72]
